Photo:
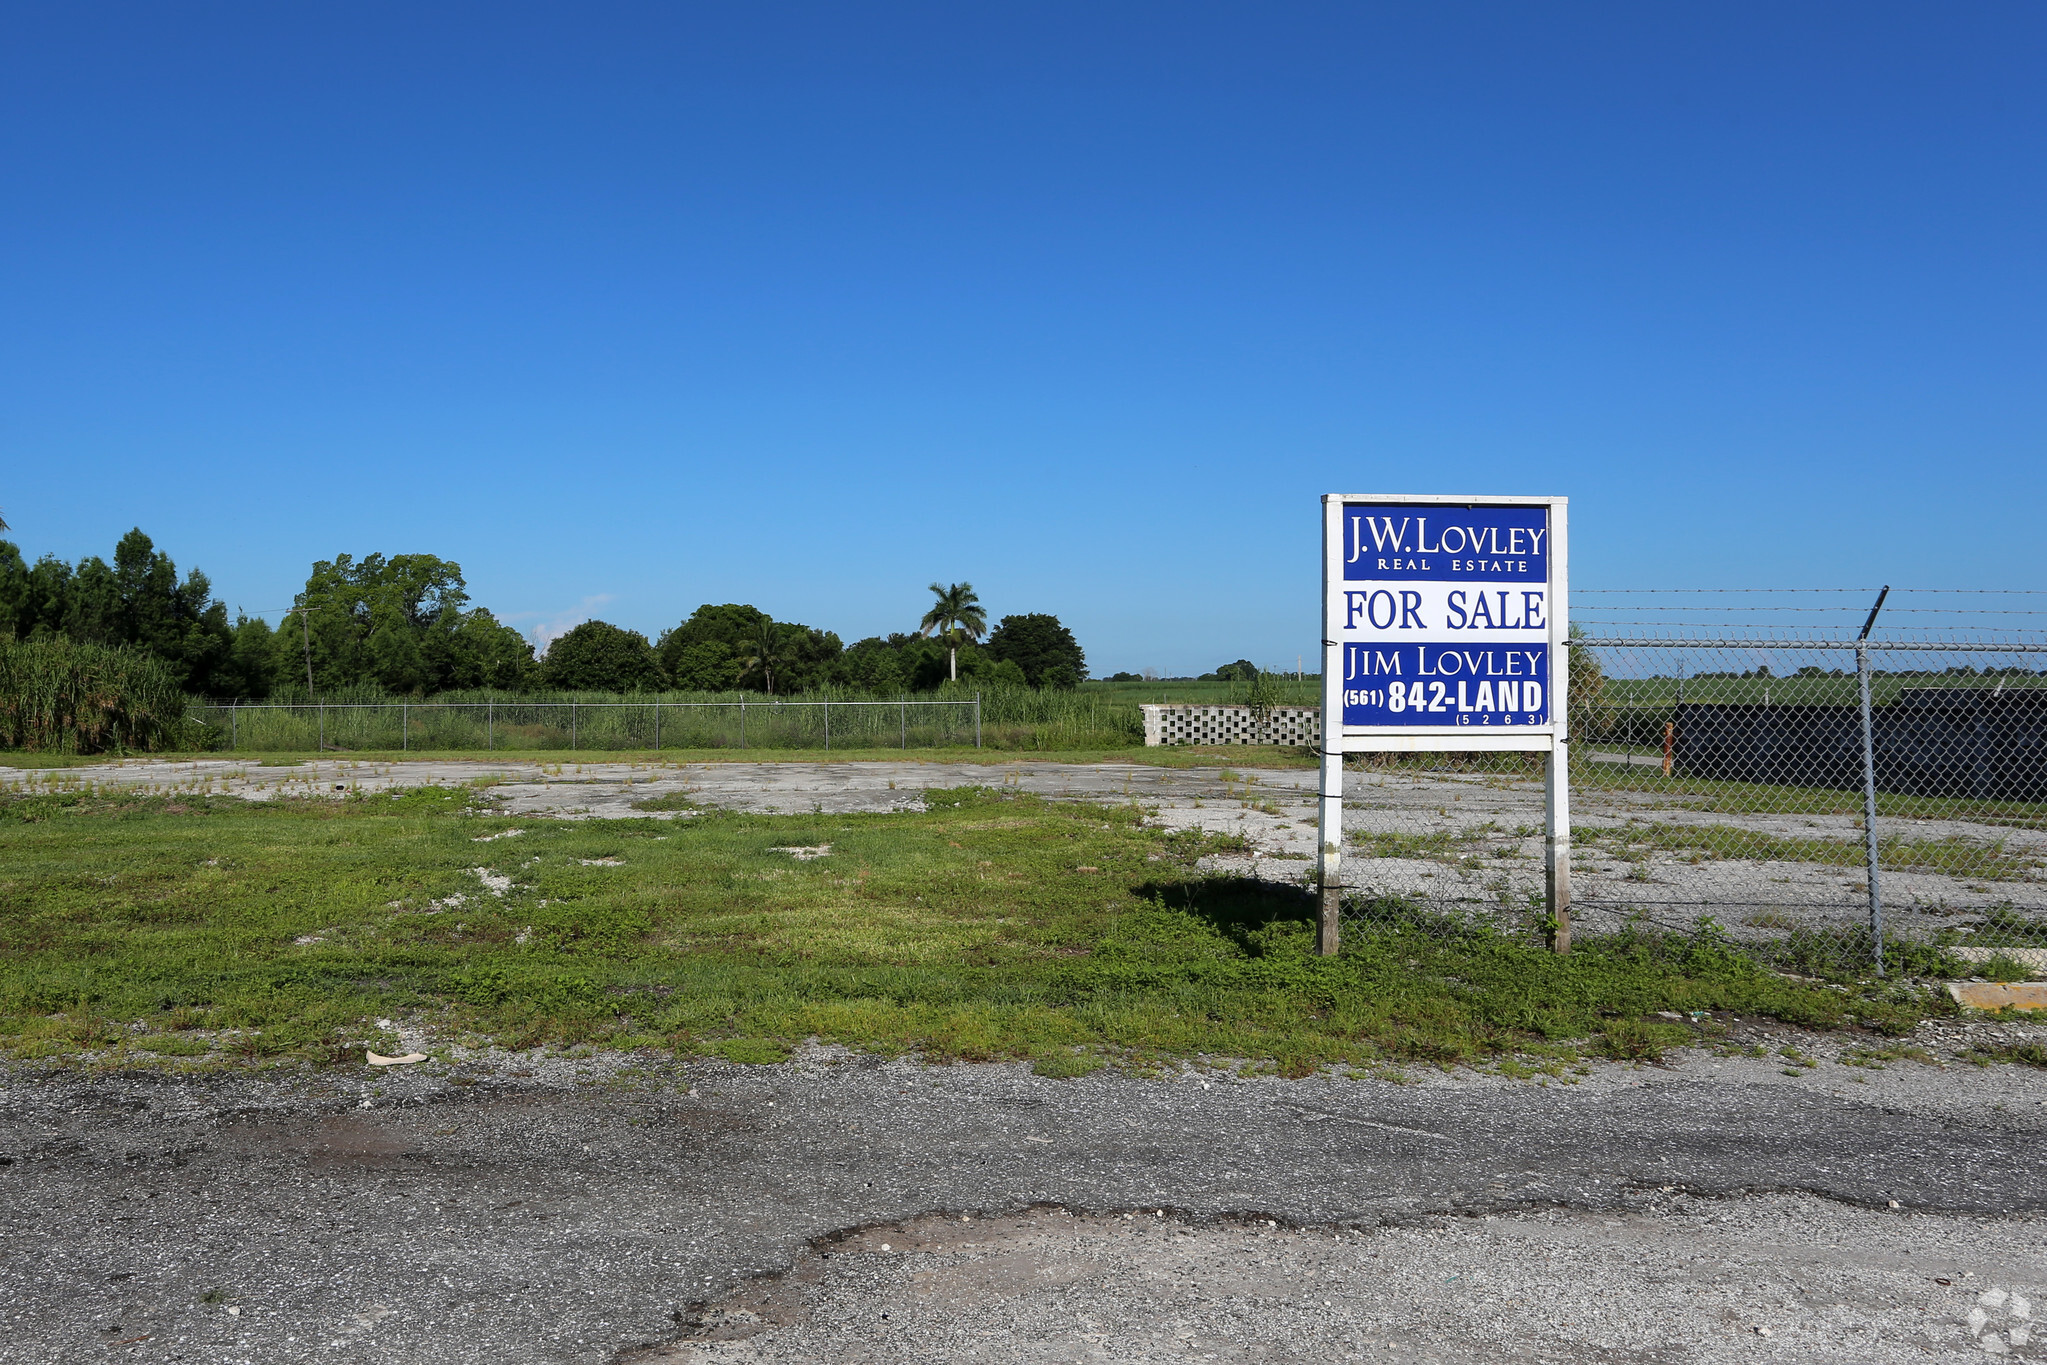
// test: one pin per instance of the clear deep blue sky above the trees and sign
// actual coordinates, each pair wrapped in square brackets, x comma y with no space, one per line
[631,308]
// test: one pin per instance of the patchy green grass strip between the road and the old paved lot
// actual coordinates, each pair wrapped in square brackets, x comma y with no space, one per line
[994,926]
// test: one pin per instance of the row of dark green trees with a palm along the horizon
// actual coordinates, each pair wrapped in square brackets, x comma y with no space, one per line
[404,625]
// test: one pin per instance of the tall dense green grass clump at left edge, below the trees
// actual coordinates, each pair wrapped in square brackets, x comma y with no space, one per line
[58,697]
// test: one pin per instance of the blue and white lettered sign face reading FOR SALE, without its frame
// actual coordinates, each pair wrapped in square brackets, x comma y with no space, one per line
[1444,617]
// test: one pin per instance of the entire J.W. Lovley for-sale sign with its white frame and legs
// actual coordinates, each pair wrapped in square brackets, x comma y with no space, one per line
[1444,629]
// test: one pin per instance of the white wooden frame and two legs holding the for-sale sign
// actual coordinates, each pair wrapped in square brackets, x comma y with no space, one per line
[1549,738]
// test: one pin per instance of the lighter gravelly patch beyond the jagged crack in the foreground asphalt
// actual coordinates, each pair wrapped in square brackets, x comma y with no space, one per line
[1770,1278]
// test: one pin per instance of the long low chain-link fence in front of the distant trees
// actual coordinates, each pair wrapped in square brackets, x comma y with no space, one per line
[591,725]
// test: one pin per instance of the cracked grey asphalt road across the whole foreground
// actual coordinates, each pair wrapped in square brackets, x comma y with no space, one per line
[631,1210]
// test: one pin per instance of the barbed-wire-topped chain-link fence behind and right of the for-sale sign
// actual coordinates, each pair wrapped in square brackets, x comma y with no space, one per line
[1829,803]
